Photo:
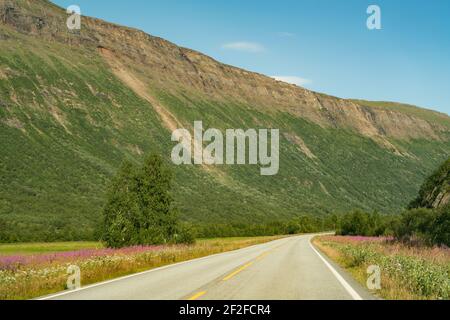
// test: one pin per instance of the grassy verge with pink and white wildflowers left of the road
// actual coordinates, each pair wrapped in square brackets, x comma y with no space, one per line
[25,276]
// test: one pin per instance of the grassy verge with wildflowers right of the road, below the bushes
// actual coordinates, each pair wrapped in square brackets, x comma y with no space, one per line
[407,273]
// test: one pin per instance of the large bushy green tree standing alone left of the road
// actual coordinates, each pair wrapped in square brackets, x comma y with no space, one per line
[139,206]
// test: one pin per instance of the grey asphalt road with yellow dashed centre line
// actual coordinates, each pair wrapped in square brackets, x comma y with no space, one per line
[285,269]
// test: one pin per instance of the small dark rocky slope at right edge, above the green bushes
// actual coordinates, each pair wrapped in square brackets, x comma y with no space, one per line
[435,192]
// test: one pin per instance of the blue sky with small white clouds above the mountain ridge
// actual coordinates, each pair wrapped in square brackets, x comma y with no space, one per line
[322,44]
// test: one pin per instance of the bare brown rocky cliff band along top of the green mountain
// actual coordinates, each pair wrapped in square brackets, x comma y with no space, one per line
[170,67]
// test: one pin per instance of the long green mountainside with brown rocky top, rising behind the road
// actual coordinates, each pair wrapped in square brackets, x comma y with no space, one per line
[75,104]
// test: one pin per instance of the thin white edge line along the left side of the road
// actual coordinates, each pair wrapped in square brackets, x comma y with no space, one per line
[67,292]
